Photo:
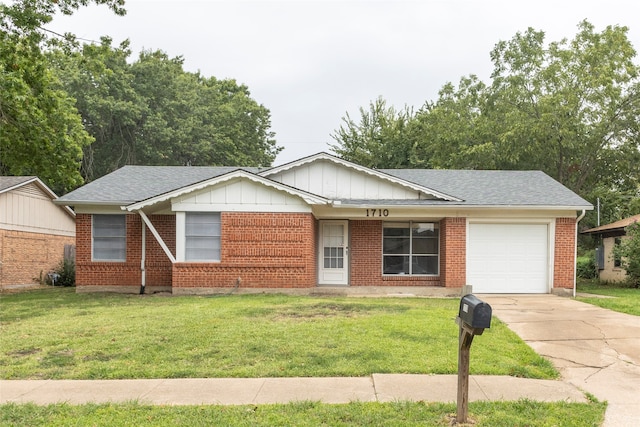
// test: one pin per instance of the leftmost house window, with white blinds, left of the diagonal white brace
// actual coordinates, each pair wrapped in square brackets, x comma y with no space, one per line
[109,238]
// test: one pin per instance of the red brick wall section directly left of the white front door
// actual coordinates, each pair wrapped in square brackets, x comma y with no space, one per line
[262,249]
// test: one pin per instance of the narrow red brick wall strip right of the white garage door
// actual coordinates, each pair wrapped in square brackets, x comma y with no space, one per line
[564,256]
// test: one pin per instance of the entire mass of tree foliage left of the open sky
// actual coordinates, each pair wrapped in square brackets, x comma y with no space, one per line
[71,113]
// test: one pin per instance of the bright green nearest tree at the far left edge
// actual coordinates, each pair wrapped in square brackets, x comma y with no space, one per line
[41,132]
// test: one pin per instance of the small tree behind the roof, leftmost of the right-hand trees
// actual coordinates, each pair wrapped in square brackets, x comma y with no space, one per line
[379,140]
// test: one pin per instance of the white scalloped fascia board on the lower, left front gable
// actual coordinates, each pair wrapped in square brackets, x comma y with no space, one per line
[307,197]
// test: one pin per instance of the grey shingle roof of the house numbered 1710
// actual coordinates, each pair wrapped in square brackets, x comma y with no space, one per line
[471,188]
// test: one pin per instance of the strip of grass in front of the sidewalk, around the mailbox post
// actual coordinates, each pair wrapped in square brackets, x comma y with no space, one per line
[494,414]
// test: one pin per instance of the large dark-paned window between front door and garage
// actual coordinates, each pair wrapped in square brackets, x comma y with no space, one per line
[410,248]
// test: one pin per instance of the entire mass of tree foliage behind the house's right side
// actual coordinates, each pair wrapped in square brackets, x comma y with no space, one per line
[570,108]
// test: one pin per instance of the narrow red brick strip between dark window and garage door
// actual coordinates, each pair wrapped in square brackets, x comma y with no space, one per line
[453,252]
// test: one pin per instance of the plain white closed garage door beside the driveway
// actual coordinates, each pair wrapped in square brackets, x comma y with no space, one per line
[508,258]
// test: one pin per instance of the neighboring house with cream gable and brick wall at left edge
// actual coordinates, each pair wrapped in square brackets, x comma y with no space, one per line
[33,230]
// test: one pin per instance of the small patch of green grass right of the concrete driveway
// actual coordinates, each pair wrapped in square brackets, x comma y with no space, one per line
[624,299]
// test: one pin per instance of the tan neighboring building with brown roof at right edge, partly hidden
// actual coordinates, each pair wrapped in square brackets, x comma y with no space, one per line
[609,267]
